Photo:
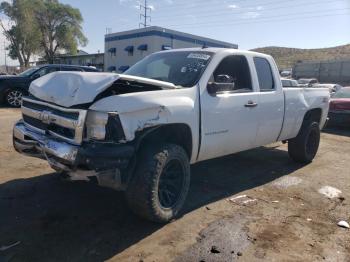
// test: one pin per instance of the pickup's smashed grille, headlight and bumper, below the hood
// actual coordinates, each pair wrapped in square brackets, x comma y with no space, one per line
[81,143]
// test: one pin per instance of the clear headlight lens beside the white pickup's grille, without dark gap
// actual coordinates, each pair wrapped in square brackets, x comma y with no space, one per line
[96,125]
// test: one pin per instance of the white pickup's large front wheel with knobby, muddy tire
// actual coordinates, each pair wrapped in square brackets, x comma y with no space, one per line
[159,187]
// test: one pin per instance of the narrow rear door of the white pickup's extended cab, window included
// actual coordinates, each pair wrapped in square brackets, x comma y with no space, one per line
[271,101]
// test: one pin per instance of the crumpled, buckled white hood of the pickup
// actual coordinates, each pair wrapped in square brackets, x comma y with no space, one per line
[73,88]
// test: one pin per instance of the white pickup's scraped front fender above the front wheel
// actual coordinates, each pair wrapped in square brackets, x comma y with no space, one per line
[140,111]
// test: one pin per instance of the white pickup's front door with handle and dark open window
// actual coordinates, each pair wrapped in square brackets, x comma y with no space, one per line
[229,117]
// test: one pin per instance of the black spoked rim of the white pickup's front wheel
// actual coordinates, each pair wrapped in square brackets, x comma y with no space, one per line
[171,184]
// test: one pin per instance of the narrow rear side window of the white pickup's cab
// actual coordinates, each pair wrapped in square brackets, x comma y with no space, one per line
[265,76]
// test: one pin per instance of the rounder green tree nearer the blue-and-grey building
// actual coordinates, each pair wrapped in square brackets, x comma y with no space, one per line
[60,27]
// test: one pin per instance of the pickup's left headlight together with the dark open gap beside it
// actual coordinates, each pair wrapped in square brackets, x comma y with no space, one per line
[104,126]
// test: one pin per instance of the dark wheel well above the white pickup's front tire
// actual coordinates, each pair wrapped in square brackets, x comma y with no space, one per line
[179,134]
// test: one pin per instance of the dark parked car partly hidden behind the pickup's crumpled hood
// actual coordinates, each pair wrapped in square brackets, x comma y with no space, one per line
[13,87]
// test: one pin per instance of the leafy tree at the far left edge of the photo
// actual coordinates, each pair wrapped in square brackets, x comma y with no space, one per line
[20,30]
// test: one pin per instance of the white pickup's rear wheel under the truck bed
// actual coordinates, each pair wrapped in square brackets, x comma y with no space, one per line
[303,148]
